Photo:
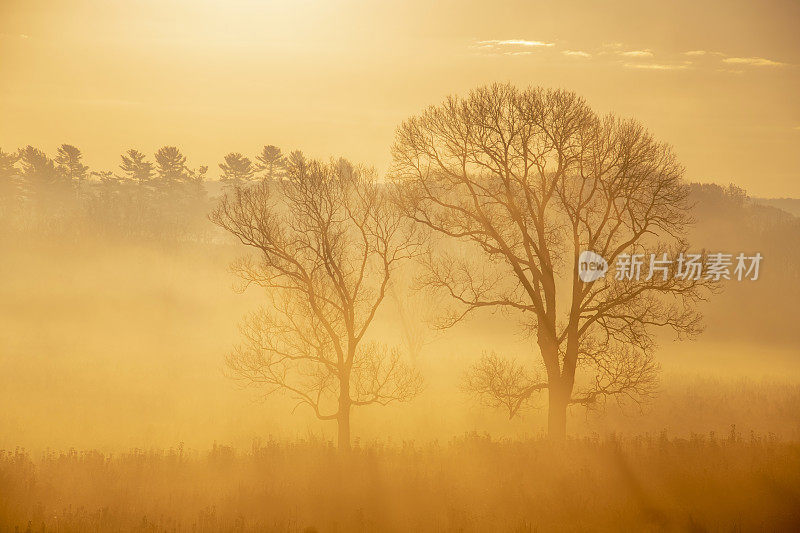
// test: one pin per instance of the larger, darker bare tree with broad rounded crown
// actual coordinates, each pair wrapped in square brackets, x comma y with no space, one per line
[525,181]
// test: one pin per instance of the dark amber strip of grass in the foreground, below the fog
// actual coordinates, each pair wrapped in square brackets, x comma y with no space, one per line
[705,483]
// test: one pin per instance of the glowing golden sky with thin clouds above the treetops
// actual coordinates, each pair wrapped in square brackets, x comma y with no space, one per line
[718,80]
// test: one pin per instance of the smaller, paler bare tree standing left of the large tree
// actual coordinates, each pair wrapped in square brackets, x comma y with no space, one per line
[327,240]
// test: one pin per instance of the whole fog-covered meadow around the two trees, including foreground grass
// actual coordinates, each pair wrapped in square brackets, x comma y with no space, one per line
[117,415]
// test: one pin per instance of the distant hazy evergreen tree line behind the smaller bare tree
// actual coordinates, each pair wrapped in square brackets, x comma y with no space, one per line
[162,197]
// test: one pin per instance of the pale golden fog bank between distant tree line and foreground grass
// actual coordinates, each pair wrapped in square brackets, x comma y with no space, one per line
[112,345]
